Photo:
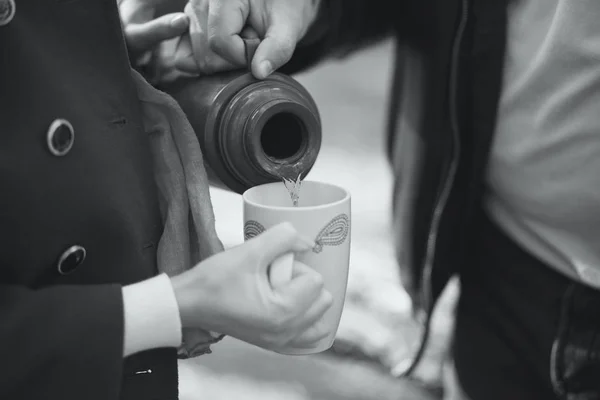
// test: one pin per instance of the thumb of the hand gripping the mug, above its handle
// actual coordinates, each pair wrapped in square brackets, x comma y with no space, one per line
[280,239]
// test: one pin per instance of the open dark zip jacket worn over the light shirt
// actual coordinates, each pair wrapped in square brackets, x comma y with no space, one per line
[443,103]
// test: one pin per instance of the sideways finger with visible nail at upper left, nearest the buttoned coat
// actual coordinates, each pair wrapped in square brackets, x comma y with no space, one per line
[145,36]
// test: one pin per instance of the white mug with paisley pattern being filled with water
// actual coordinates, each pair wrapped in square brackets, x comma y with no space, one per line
[323,214]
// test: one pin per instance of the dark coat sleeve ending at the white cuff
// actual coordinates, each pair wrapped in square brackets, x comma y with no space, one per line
[63,342]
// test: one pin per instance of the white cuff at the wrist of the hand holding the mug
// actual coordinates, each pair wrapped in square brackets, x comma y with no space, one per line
[151,315]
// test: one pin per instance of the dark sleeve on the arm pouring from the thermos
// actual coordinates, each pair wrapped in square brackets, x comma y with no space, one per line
[345,26]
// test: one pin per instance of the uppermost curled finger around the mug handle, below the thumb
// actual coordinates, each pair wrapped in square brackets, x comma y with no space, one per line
[302,291]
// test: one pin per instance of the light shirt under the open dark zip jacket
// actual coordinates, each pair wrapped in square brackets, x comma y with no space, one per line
[544,174]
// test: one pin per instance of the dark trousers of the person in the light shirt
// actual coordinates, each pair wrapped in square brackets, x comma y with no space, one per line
[523,330]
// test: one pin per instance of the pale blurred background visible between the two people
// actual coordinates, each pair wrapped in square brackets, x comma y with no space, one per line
[376,335]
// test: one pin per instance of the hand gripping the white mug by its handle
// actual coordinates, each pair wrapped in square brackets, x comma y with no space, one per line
[231,293]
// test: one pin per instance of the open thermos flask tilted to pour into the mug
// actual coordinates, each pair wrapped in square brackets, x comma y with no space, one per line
[251,131]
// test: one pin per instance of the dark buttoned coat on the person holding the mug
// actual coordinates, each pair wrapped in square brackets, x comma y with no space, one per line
[79,216]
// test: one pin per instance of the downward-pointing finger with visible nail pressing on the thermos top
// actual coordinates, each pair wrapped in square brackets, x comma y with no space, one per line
[276,48]
